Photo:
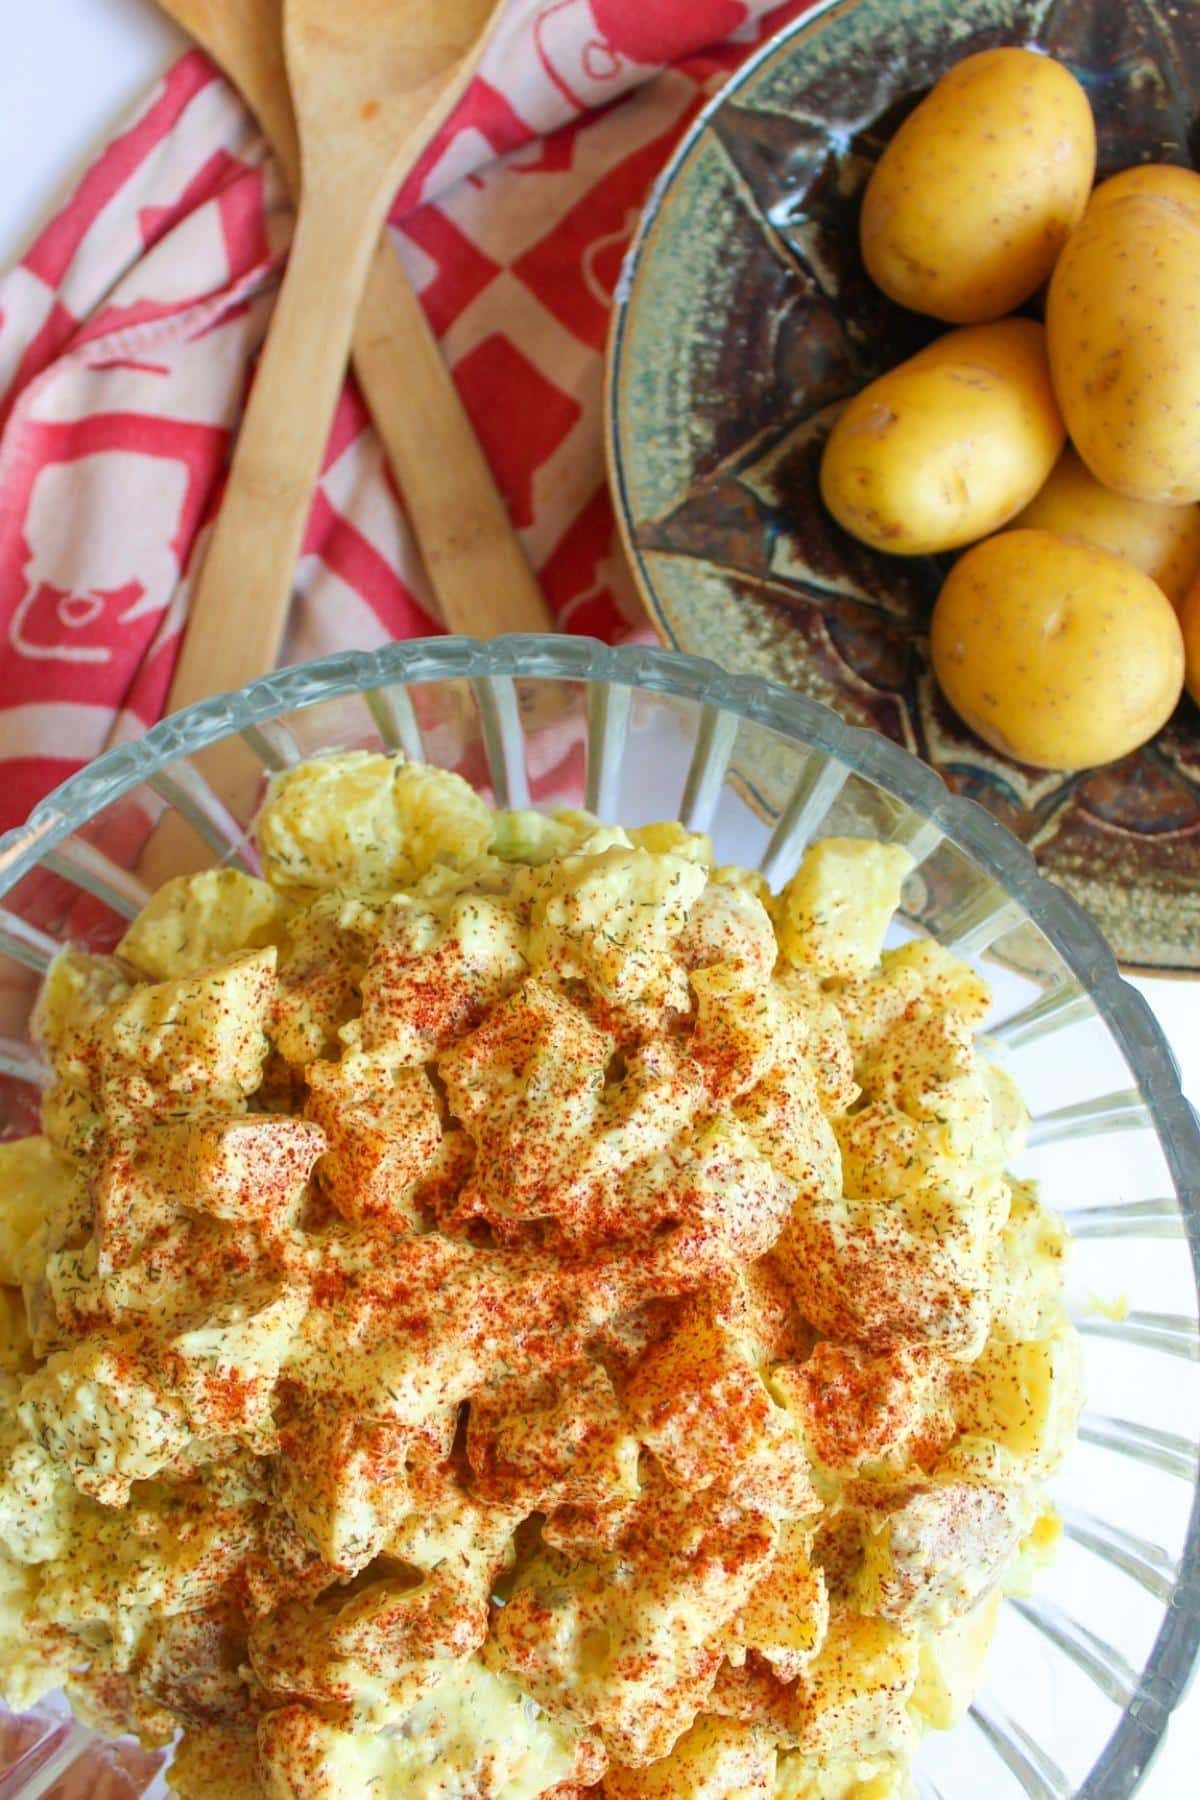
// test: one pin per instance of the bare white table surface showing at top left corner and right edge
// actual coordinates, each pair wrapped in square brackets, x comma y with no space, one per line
[67,73]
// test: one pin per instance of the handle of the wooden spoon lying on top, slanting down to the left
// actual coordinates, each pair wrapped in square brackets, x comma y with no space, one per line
[240,604]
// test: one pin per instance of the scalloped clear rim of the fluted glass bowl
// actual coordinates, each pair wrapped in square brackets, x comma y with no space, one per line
[686,678]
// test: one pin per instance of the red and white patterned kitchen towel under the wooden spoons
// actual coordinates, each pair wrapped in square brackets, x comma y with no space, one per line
[130,328]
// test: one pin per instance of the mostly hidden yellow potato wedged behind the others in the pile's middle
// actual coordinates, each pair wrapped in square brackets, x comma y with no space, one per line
[1163,541]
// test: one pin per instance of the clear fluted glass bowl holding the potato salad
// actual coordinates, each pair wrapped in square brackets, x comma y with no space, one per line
[1084,1675]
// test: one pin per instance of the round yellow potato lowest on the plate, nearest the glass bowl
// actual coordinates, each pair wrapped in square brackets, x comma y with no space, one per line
[1055,652]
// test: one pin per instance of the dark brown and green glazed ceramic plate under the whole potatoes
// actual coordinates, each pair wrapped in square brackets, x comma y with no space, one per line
[744,321]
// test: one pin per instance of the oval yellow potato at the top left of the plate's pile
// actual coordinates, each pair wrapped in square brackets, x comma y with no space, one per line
[976,195]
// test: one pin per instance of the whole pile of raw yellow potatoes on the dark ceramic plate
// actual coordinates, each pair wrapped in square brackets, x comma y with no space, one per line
[1064,640]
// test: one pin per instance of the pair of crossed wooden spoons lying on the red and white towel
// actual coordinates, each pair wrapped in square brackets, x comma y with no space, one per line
[372,82]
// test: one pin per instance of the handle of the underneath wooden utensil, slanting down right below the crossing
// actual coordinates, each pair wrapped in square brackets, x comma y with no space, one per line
[472,555]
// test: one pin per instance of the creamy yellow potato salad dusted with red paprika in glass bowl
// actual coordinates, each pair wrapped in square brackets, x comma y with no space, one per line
[505,1308]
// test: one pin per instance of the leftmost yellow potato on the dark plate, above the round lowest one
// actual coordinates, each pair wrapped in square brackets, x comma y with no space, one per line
[949,445]
